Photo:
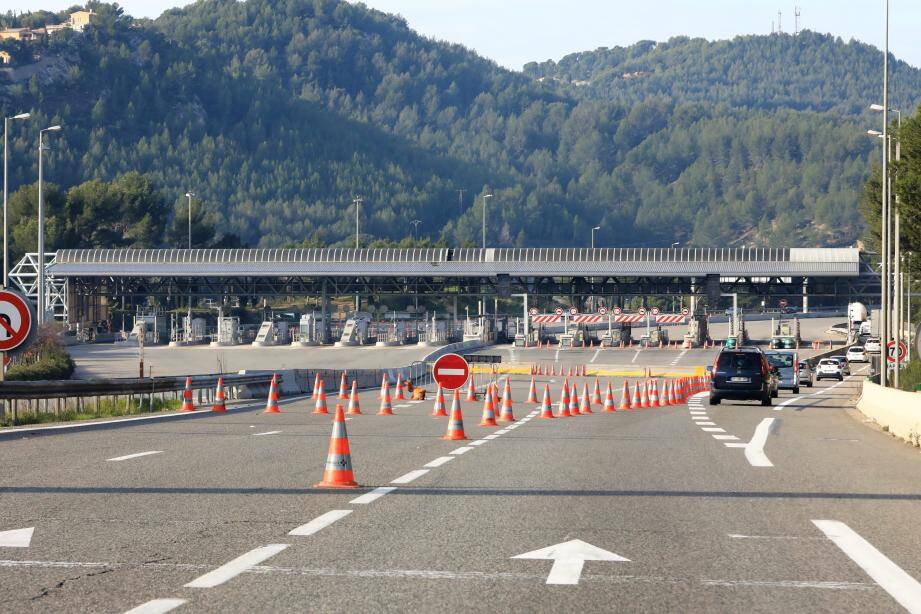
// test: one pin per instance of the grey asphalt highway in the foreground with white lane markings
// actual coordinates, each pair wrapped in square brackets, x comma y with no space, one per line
[816,511]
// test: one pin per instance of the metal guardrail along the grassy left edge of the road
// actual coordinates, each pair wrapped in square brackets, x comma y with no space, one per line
[58,389]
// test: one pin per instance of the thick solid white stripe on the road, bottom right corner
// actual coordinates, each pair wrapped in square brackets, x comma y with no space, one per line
[892,578]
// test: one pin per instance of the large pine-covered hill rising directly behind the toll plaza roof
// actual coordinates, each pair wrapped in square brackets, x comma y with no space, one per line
[277,113]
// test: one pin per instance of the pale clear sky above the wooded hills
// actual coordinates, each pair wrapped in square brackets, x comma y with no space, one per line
[514,32]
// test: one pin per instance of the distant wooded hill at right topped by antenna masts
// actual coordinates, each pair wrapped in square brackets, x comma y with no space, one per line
[808,72]
